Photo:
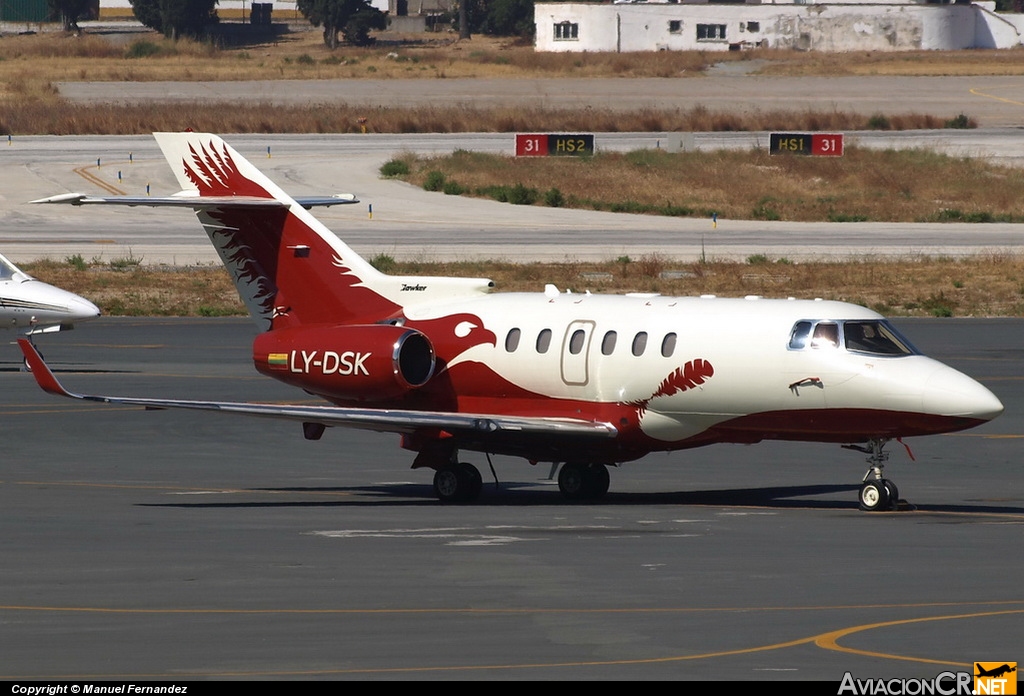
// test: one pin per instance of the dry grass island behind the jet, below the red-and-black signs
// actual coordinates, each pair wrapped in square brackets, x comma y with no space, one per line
[909,186]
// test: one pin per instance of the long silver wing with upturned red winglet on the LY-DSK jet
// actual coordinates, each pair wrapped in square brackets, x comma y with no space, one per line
[380,420]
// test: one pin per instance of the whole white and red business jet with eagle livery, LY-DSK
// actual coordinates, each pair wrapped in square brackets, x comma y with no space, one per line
[586,380]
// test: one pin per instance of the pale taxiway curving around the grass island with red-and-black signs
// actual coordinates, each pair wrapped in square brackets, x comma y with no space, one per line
[409,223]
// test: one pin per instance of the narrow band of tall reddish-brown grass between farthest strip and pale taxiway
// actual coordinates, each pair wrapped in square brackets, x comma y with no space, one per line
[45,114]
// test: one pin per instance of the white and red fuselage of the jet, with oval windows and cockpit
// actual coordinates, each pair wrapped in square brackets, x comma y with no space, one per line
[675,373]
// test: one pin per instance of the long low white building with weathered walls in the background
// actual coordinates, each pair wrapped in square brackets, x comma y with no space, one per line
[883,26]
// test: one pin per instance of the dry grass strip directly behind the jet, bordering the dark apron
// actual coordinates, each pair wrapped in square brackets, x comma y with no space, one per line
[990,285]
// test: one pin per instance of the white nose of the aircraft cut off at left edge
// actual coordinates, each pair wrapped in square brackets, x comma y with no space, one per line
[35,308]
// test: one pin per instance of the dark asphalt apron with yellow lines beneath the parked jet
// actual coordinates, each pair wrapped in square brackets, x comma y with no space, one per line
[173,545]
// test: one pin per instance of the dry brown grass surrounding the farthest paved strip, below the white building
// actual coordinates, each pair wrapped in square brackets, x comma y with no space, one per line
[31,65]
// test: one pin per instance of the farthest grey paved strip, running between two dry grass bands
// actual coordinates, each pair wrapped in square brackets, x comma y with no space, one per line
[994,101]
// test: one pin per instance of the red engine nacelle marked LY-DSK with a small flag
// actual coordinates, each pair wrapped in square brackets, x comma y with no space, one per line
[373,363]
